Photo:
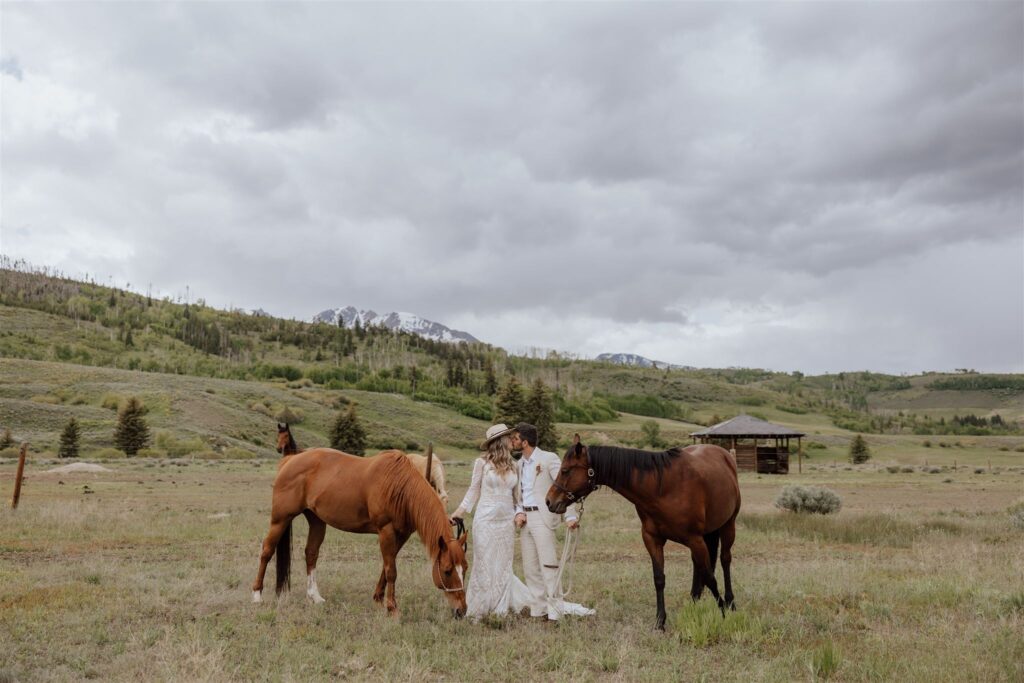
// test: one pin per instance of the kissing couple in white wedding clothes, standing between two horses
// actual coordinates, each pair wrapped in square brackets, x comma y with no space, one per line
[509,495]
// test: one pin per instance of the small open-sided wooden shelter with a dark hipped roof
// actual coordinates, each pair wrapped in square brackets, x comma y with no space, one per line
[758,446]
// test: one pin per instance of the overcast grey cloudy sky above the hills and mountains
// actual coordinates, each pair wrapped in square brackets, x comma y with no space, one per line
[796,187]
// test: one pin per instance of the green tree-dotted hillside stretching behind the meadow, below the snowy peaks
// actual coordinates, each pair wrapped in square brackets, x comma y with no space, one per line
[216,380]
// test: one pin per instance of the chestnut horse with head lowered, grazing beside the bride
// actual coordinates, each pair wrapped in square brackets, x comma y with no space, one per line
[380,495]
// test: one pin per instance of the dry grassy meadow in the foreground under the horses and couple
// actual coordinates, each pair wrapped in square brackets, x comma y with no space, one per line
[143,574]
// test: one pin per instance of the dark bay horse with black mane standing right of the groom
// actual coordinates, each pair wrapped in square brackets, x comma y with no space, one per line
[691,496]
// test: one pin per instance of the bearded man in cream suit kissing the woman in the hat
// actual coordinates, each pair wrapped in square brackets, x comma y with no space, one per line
[538,469]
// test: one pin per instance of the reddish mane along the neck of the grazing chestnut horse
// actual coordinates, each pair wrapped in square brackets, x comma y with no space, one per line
[413,501]
